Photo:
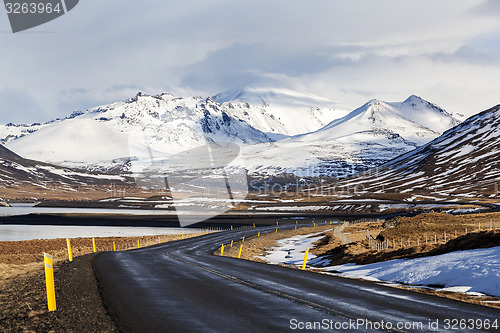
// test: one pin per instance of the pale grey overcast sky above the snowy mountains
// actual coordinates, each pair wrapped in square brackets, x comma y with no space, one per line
[446,51]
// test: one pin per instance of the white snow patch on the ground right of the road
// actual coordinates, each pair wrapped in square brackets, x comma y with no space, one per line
[475,272]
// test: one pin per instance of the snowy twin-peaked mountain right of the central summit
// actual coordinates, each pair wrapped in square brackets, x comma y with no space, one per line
[367,137]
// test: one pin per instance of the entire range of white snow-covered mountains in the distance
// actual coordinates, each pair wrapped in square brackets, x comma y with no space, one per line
[281,131]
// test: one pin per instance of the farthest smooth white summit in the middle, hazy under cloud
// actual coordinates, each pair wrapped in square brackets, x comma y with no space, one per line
[274,107]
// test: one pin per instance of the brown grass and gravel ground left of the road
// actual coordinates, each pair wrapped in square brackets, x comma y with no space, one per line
[23,302]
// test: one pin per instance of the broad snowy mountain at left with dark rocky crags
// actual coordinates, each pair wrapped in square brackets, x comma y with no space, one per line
[168,124]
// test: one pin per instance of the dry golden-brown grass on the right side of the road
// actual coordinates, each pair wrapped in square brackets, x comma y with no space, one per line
[413,228]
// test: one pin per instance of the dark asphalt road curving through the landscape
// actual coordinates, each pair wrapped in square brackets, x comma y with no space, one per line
[181,287]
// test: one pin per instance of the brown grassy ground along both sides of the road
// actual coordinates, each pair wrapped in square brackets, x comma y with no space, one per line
[22,286]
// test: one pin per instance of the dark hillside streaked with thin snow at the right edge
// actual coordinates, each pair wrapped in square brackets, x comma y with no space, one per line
[464,161]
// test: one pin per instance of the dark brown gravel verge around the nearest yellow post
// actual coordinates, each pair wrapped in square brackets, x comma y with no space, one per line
[79,304]
